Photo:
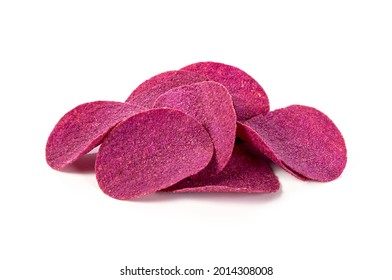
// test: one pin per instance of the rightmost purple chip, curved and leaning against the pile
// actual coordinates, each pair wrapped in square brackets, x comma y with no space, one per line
[300,139]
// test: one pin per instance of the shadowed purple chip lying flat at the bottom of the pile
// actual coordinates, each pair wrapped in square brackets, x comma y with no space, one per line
[247,171]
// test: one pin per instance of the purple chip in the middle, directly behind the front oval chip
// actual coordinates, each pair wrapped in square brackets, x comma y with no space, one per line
[210,104]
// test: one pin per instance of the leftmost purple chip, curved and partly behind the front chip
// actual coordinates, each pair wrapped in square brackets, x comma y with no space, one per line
[83,128]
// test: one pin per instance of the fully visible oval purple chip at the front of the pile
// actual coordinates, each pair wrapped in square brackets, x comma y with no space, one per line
[150,151]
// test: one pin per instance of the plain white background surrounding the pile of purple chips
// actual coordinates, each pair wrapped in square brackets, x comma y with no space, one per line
[332,55]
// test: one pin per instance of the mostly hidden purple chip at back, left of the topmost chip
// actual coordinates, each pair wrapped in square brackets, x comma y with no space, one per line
[148,91]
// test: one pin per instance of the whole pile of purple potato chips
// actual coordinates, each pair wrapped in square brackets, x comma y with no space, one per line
[204,128]
